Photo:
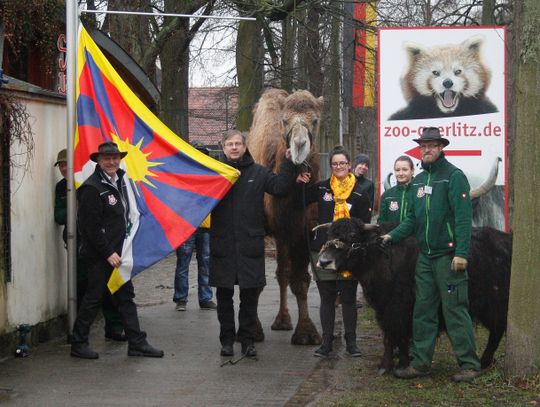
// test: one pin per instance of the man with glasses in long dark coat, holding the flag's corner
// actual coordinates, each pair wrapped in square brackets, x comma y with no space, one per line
[237,241]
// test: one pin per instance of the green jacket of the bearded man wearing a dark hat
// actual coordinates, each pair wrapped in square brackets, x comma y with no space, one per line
[440,212]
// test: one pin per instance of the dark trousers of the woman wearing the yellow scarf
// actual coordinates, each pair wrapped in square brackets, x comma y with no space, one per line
[328,291]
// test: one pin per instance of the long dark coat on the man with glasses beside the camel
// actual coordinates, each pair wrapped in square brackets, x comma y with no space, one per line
[237,228]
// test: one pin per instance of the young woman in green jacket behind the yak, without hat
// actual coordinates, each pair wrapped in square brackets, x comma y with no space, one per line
[393,206]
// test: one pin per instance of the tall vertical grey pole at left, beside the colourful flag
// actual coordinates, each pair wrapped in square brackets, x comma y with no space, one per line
[72,18]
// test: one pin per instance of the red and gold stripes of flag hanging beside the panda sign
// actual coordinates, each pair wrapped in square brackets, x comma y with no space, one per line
[365,13]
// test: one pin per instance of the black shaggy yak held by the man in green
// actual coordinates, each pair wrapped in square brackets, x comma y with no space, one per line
[387,279]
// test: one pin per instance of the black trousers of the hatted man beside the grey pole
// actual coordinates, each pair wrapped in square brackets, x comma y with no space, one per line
[99,272]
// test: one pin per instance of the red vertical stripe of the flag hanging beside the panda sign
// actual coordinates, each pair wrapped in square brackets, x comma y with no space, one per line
[359,68]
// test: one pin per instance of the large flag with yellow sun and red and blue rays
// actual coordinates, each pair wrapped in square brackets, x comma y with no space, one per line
[172,187]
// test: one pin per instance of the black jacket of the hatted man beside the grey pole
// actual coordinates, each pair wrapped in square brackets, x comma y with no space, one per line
[103,215]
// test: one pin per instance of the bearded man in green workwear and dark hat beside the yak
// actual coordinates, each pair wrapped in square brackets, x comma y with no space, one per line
[440,216]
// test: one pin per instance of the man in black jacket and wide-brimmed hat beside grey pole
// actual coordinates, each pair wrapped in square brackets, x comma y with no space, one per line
[103,221]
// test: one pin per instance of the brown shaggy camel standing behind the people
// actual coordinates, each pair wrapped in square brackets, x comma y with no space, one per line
[282,121]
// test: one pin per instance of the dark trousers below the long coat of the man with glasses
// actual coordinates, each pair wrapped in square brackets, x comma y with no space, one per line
[247,314]
